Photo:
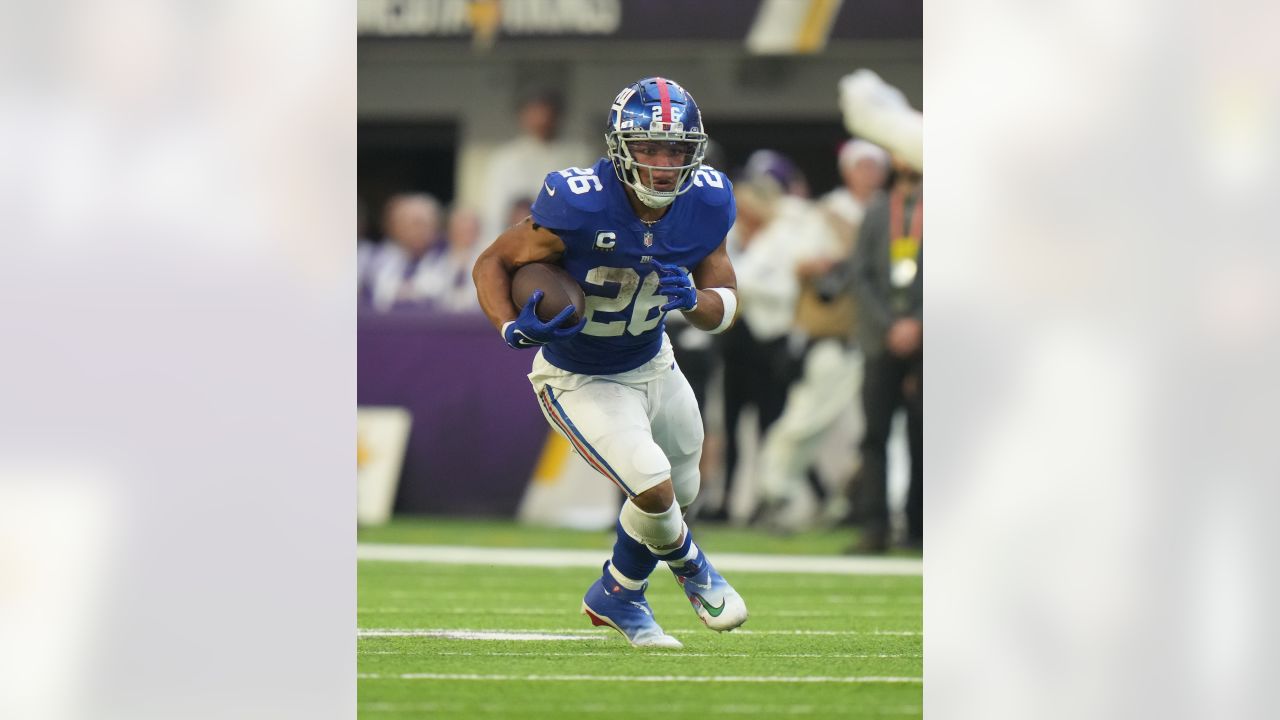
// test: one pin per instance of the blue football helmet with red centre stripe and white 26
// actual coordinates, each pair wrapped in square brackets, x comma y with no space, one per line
[656,111]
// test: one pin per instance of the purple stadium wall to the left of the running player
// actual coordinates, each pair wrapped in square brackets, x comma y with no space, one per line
[477,427]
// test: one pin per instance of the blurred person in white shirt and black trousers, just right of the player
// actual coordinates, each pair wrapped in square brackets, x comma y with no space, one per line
[774,231]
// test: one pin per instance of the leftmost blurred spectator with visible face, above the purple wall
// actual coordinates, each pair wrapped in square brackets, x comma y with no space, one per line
[399,270]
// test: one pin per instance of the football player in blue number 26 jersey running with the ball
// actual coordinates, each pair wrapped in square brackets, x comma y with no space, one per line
[629,230]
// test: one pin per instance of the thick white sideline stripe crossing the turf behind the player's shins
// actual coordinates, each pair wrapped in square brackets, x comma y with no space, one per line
[543,558]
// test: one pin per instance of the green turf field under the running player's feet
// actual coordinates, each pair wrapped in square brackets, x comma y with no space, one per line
[816,646]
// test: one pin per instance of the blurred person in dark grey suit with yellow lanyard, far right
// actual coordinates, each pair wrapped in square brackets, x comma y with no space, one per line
[888,280]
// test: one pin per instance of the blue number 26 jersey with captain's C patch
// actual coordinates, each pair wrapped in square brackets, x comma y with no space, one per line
[609,250]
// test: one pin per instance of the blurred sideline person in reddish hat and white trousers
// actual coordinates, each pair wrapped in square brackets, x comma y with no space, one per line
[829,366]
